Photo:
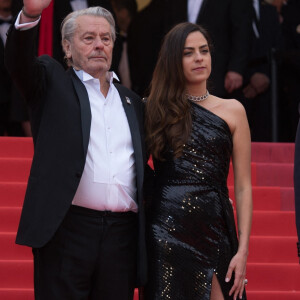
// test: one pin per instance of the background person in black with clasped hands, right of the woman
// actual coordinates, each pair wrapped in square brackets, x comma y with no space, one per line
[256,92]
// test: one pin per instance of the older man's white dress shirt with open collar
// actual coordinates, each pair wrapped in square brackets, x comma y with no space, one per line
[108,181]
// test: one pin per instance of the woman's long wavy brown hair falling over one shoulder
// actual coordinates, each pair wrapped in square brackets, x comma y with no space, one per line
[168,118]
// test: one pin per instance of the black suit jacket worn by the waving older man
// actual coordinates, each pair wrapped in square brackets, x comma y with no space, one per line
[61,119]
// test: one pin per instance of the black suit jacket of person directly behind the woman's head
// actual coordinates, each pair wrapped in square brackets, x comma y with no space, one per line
[228,23]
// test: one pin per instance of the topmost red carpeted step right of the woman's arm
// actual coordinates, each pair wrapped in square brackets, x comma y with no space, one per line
[273,152]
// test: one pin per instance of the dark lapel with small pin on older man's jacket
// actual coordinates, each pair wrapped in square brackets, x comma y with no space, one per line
[135,132]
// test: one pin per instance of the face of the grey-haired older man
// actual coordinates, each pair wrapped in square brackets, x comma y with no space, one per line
[91,46]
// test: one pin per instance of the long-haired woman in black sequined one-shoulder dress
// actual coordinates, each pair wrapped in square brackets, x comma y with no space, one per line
[194,250]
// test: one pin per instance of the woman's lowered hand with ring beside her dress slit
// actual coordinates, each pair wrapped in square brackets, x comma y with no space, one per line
[238,266]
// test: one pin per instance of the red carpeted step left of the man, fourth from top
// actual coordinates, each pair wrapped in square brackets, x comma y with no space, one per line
[9,218]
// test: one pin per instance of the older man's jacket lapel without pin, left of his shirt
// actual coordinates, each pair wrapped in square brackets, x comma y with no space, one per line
[85,107]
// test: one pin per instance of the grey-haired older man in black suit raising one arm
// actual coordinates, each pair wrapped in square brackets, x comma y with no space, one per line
[82,213]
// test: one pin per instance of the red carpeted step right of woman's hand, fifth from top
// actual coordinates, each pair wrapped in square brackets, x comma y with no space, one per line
[273,249]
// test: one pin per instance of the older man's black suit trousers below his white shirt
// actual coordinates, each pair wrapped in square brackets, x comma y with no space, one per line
[91,256]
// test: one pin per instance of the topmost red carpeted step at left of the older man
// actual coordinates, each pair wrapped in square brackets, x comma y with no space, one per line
[16,147]
